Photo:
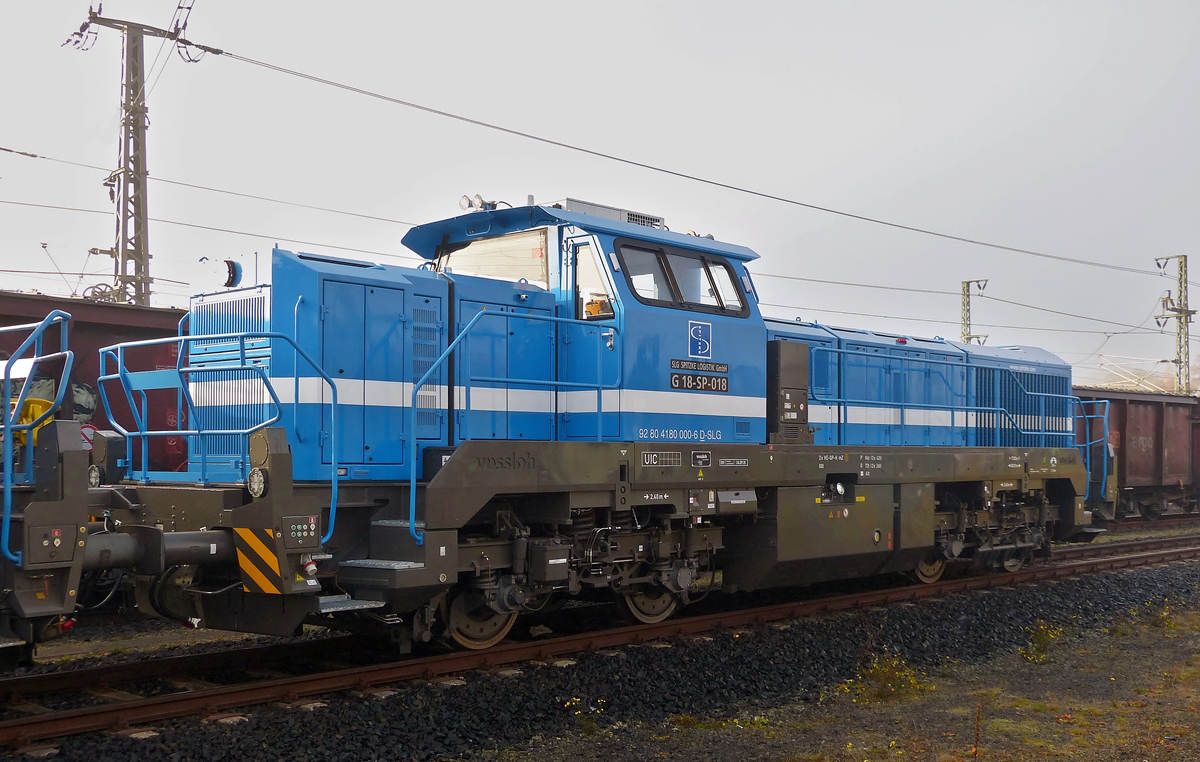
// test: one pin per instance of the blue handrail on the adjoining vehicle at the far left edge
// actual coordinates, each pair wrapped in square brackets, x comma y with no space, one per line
[11,409]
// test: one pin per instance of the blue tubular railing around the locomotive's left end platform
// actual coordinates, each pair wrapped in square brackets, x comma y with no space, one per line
[116,355]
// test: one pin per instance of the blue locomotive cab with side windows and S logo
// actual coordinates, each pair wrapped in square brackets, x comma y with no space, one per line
[667,343]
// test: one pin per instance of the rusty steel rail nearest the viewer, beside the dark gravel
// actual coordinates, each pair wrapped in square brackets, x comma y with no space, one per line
[215,700]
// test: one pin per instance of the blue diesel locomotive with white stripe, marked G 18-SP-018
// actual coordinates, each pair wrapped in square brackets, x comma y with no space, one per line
[555,404]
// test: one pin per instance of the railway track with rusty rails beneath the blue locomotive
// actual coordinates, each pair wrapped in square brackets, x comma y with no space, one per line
[123,711]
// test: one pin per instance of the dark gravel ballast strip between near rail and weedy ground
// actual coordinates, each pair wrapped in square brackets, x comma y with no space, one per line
[729,674]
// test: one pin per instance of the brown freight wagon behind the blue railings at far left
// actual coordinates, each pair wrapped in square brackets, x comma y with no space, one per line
[94,326]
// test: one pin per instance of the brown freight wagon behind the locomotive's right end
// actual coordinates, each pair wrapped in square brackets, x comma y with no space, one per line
[1154,441]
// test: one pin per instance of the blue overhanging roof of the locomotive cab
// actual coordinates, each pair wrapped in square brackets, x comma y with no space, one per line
[425,239]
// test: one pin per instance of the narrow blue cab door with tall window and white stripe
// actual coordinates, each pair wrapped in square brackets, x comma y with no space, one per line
[589,353]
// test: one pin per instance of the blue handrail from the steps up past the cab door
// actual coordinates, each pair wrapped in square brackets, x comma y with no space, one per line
[419,537]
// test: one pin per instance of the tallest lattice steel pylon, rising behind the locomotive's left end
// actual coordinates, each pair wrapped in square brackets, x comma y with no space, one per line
[128,184]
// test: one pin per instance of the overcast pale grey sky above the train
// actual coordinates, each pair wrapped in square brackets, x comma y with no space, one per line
[1064,128]
